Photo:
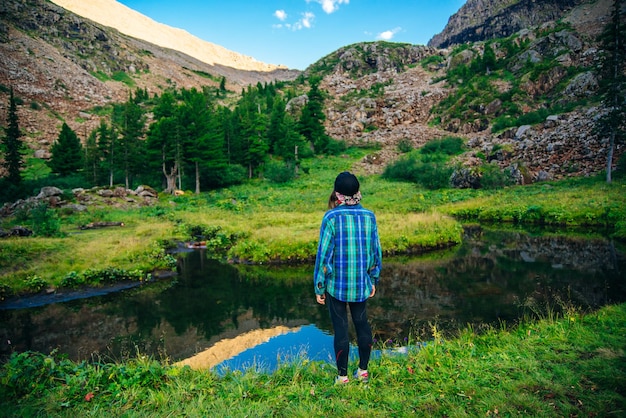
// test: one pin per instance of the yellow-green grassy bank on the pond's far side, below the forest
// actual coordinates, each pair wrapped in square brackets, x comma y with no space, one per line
[267,222]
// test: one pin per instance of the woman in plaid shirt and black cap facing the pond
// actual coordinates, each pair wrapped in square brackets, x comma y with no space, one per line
[347,270]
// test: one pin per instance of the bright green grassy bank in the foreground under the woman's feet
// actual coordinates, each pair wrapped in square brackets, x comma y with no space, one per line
[568,366]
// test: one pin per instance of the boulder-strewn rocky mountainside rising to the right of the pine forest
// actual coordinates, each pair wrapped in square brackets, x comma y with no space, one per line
[397,102]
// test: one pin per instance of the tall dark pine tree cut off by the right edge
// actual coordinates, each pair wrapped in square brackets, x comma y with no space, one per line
[613,82]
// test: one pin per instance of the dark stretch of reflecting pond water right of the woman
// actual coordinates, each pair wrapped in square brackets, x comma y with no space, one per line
[495,278]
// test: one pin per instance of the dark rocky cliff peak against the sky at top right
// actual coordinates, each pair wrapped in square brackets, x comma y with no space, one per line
[480,20]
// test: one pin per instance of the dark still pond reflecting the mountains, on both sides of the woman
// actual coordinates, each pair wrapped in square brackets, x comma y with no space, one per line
[492,278]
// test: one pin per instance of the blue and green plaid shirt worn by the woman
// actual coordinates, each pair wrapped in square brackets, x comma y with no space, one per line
[349,257]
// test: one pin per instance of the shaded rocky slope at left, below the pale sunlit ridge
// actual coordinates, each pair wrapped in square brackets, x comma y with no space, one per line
[63,67]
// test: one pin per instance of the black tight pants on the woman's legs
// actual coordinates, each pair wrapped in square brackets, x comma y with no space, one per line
[339,316]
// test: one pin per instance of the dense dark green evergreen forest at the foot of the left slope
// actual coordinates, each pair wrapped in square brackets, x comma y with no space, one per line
[185,139]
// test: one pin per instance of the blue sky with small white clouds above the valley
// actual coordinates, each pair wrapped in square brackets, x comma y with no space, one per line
[296,33]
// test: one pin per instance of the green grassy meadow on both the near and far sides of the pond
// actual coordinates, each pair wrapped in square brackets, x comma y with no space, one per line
[566,364]
